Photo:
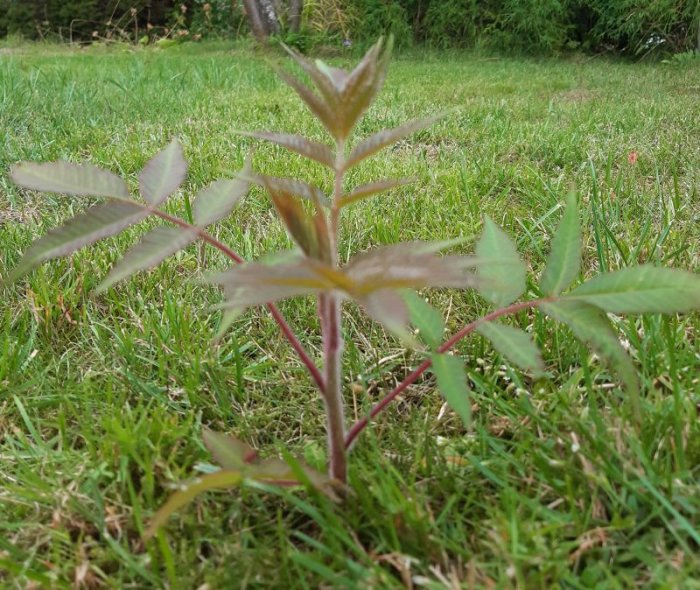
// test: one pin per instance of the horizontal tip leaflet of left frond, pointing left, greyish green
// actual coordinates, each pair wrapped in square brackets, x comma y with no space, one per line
[70,179]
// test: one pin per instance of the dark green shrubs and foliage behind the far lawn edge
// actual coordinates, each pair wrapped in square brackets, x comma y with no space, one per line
[515,26]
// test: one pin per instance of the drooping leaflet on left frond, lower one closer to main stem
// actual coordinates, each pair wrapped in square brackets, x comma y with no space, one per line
[154,247]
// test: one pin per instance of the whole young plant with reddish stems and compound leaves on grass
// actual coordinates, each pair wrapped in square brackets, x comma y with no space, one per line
[383,281]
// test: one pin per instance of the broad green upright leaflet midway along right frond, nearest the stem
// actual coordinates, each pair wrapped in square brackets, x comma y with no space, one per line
[501,268]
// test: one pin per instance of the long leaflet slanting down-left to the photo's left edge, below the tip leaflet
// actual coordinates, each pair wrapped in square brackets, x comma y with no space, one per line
[98,222]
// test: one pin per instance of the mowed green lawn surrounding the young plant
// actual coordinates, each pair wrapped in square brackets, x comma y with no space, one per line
[103,398]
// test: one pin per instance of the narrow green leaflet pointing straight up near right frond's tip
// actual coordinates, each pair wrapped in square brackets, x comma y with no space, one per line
[564,260]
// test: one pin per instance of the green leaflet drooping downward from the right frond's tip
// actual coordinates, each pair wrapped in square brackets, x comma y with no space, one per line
[591,325]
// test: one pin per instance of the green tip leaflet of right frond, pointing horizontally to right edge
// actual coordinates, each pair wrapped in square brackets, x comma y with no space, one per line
[642,289]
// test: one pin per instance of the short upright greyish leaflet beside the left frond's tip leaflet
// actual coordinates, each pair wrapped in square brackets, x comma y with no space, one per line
[163,174]
